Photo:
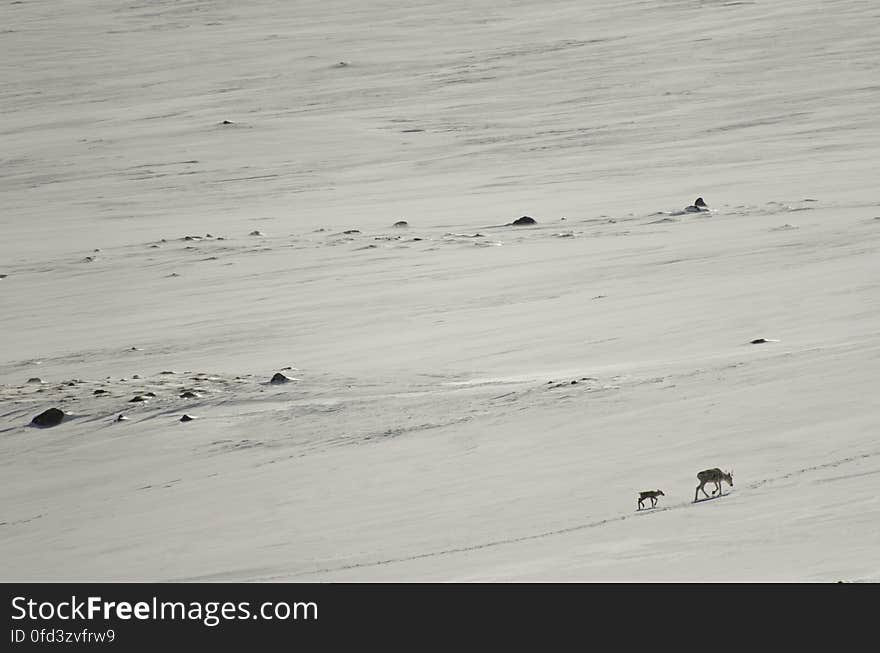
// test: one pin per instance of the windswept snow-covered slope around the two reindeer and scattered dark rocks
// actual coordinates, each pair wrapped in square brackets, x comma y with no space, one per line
[432,429]
